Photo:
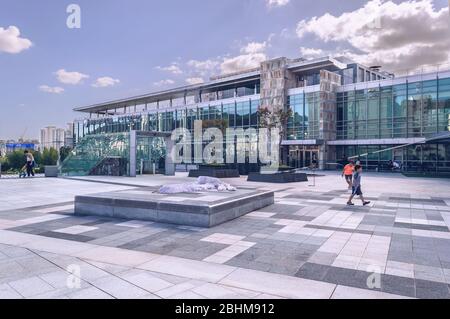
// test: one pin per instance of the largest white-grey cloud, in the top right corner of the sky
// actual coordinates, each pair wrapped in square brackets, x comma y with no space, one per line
[396,36]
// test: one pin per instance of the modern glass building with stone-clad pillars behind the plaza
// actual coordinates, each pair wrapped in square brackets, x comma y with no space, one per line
[340,109]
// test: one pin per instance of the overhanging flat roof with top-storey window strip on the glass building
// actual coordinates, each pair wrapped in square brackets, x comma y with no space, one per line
[247,82]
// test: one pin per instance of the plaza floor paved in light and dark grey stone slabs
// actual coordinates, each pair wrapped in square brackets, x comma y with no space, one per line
[309,244]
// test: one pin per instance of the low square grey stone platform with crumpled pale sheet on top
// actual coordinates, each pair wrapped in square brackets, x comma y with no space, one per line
[201,209]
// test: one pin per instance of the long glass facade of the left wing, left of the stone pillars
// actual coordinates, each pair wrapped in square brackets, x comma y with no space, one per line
[238,114]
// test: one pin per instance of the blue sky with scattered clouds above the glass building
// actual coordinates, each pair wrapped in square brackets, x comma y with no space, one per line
[138,46]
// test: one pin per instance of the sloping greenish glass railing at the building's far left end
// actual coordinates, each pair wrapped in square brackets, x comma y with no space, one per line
[92,150]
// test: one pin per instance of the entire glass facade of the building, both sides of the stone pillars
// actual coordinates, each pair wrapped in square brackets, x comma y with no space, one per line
[412,109]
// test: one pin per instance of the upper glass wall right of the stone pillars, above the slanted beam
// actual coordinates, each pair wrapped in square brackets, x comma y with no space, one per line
[418,109]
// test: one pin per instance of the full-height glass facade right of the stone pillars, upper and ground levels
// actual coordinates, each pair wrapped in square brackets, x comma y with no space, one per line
[410,110]
